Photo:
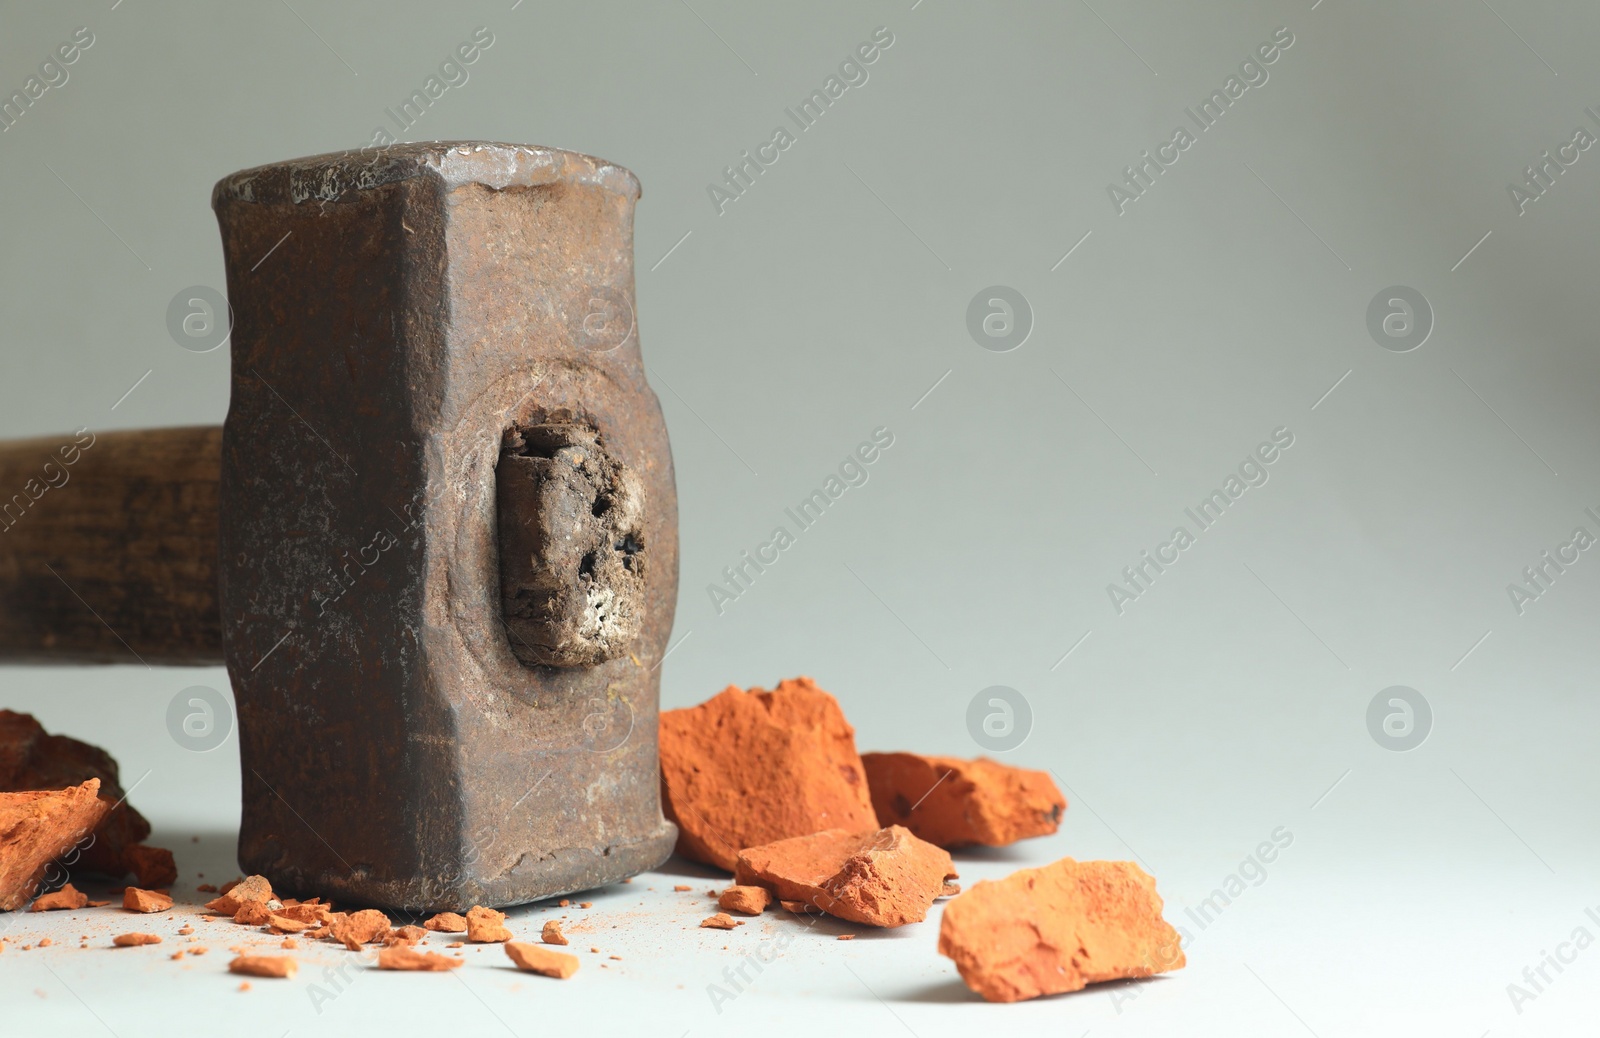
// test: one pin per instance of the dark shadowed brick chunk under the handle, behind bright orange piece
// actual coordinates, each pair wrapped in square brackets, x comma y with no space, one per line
[34,761]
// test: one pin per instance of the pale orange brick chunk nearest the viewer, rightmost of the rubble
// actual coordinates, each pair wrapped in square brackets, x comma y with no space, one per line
[1058,928]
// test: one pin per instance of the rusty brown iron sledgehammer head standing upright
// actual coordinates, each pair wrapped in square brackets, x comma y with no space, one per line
[449,537]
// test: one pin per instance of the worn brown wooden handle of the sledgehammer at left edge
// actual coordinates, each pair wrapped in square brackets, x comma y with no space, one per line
[108,548]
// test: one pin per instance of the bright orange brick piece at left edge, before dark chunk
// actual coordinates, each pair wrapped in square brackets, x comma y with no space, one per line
[36,829]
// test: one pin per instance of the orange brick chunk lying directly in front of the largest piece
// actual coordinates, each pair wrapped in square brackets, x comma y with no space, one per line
[882,877]
